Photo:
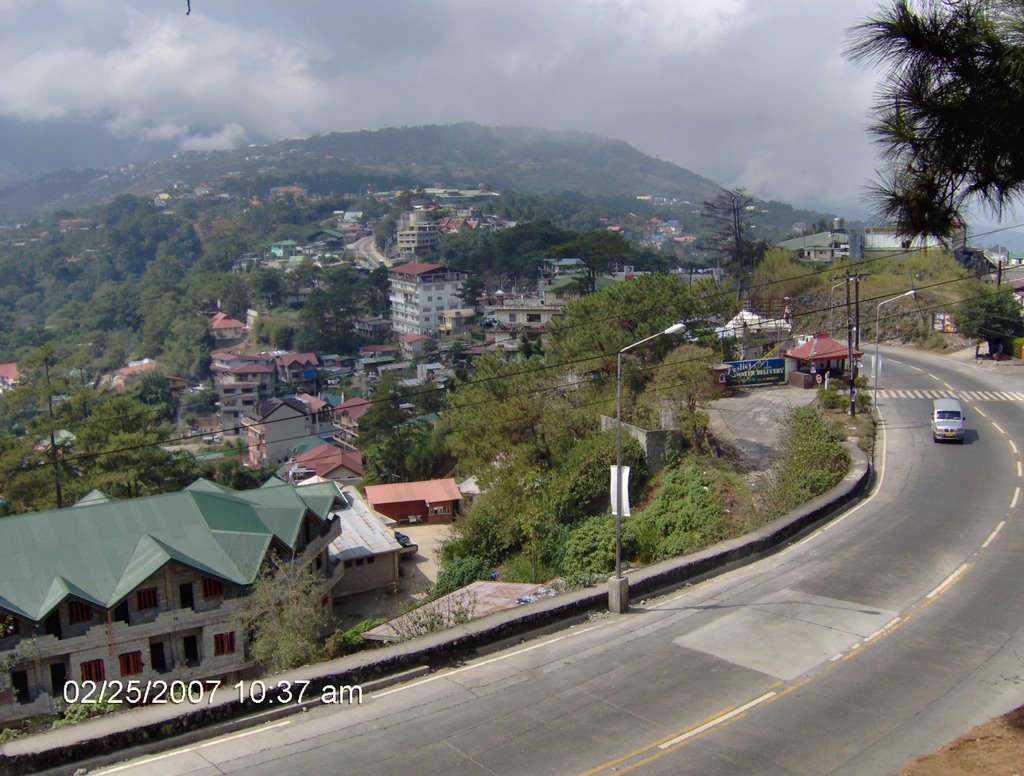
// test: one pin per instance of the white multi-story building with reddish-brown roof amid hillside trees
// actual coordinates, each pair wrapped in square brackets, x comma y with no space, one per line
[421,294]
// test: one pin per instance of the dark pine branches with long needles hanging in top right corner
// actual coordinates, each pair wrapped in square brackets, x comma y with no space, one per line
[949,113]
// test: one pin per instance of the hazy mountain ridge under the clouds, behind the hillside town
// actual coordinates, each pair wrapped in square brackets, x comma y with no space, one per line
[467,155]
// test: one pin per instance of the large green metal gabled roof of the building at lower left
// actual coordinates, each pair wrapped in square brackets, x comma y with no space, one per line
[102,549]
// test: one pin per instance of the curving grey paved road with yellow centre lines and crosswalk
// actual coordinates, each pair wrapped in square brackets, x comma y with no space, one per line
[862,646]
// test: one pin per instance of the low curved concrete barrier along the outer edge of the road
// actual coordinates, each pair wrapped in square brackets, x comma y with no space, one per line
[144,731]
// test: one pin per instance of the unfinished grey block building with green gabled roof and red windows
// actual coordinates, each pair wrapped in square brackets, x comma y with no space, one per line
[146,589]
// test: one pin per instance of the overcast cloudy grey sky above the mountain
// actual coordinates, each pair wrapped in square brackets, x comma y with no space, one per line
[751,94]
